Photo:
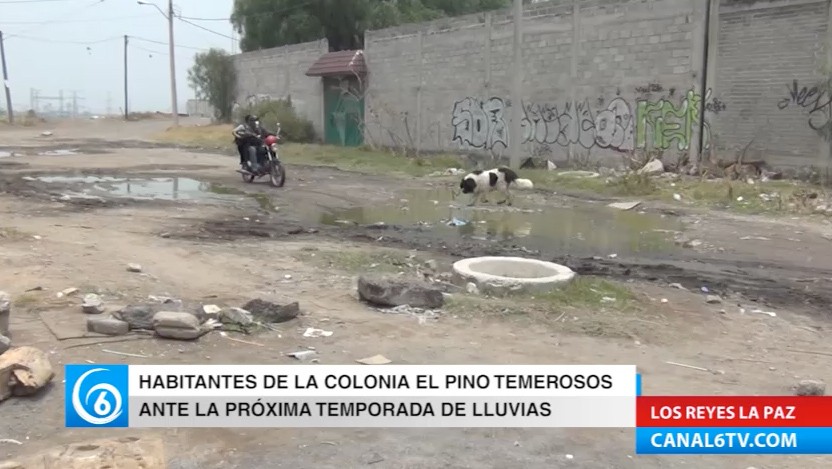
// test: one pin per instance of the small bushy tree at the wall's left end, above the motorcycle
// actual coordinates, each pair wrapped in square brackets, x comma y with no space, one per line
[214,79]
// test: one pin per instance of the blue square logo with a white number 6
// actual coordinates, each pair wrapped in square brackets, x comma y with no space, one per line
[96,395]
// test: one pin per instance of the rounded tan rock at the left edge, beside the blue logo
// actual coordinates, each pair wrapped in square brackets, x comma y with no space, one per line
[24,371]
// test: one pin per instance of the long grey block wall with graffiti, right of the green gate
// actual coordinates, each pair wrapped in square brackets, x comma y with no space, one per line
[599,76]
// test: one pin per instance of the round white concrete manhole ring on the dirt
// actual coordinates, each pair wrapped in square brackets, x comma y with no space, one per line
[512,274]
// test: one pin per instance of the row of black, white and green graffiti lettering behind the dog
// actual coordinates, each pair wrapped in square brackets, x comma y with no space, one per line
[661,123]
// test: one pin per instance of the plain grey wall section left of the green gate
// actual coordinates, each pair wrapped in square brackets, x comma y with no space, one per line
[280,72]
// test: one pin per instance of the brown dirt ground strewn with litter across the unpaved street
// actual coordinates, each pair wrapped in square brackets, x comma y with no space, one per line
[227,246]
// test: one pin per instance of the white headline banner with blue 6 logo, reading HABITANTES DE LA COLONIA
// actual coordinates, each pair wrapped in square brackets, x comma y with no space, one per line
[451,396]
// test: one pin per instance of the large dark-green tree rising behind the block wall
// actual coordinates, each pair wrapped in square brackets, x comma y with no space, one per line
[263,24]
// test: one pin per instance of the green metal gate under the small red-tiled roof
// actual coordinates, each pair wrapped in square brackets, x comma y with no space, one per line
[344,113]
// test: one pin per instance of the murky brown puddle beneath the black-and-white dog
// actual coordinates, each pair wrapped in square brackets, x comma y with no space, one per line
[582,228]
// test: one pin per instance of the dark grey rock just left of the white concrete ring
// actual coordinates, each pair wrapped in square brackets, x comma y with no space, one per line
[396,291]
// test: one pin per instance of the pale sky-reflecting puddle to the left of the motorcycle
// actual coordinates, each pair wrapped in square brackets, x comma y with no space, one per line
[169,188]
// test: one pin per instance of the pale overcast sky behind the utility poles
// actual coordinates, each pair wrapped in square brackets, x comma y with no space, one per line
[78,45]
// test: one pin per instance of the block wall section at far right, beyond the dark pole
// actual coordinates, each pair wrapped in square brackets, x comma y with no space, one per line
[767,62]
